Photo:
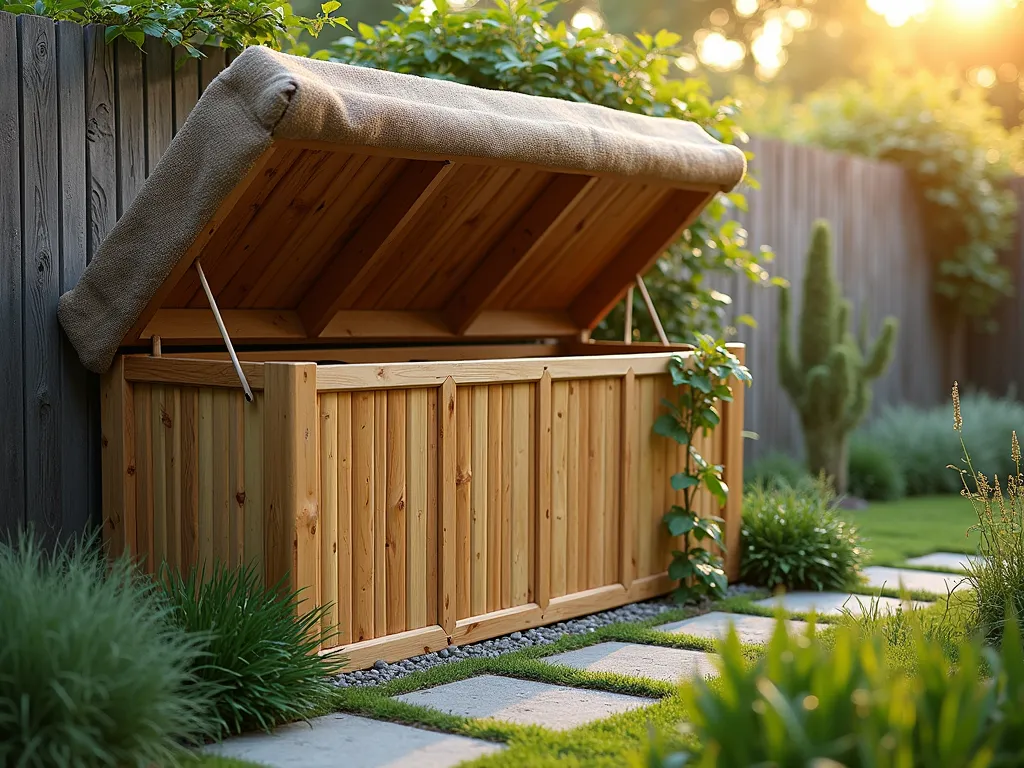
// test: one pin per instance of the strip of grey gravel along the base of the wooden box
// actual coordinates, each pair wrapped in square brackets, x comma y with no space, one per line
[382,672]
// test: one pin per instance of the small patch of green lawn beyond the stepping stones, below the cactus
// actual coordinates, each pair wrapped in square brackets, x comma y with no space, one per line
[897,531]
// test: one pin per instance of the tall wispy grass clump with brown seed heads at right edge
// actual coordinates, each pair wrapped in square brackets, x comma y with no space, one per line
[997,577]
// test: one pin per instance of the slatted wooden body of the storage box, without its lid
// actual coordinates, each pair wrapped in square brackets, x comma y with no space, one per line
[430,503]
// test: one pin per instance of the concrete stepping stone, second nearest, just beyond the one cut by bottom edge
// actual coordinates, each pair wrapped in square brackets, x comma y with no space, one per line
[525,702]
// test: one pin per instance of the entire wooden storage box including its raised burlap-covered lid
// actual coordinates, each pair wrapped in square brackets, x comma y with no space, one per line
[410,271]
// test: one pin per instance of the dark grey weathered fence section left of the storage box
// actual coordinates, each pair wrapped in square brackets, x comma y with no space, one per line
[81,124]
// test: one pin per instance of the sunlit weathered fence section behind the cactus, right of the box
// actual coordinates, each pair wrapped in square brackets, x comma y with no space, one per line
[881,264]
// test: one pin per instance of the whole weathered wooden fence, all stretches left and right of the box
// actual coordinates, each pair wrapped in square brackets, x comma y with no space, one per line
[82,123]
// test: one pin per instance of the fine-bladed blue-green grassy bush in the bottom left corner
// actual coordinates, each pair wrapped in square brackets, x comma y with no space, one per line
[92,671]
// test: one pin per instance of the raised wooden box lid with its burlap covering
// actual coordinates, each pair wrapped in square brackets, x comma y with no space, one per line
[485,216]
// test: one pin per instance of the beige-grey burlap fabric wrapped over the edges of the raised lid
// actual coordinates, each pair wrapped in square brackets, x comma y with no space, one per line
[266,96]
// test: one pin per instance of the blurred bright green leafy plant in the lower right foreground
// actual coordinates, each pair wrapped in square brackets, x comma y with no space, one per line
[845,704]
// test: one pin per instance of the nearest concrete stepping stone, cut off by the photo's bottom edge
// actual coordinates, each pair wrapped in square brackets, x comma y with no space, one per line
[354,742]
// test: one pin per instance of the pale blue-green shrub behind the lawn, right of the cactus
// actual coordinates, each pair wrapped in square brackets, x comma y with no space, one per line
[923,444]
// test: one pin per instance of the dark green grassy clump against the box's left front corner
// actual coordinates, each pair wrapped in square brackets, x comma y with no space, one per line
[261,658]
